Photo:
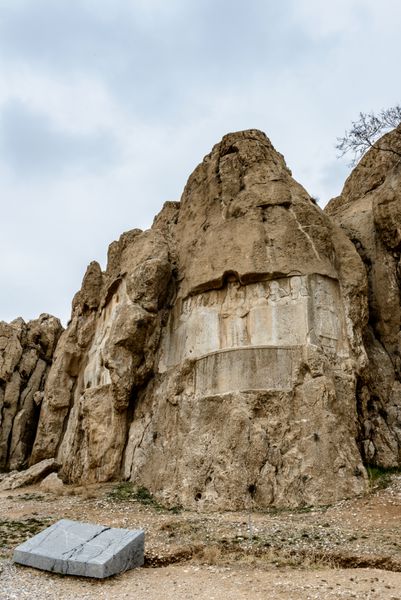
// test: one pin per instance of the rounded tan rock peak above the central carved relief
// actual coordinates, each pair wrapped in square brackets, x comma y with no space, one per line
[241,212]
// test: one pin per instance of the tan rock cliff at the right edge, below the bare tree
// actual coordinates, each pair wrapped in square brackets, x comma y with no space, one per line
[369,211]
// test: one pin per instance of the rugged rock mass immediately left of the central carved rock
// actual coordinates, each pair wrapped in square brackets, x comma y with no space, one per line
[105,355]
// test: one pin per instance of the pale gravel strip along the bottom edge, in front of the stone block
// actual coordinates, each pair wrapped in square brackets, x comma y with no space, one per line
[205,583]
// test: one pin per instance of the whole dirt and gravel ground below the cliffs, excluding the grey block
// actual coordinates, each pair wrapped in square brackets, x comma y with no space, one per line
[351,549]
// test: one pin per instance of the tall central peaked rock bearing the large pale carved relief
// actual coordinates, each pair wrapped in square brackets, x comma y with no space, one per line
[253,400]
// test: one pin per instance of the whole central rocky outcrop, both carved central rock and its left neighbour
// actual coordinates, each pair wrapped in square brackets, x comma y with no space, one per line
[216,359]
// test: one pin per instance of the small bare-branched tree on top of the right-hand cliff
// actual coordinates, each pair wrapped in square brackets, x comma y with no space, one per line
[365,132]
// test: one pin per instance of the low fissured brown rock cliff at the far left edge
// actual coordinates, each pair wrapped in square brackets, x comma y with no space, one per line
[26,351]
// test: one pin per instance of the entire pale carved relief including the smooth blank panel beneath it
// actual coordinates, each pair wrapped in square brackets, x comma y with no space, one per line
[269,315]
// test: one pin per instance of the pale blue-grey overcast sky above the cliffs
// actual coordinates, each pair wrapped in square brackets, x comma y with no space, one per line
[107,106]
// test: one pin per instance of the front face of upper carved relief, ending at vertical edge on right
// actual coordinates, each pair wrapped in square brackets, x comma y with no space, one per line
[268,313]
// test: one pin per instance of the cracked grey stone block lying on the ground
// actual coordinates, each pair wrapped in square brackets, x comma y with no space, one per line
[74,548]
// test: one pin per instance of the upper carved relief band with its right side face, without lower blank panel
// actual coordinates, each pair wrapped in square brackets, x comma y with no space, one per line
[288,311]
